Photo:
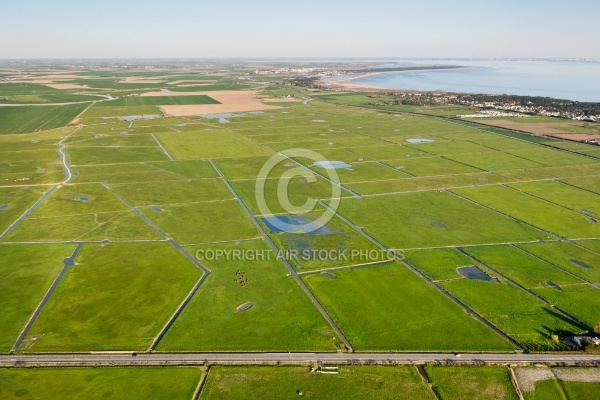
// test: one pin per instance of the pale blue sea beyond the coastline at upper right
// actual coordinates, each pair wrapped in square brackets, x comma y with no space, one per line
[577,80]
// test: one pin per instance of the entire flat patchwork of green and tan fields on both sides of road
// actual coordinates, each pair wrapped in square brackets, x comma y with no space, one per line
[492,218]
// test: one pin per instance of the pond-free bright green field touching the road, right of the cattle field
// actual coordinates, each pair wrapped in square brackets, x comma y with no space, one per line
[377,316]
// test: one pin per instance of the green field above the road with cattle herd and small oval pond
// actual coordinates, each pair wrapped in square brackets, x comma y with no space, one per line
[282,317]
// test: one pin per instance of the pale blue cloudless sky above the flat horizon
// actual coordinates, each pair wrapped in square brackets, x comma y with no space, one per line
[232,28]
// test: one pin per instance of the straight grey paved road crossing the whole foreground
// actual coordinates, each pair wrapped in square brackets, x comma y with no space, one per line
[253,358]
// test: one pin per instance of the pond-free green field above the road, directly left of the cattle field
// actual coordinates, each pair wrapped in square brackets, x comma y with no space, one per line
[117,297]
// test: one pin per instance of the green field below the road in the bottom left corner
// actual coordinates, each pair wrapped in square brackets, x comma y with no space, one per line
[99,383]
